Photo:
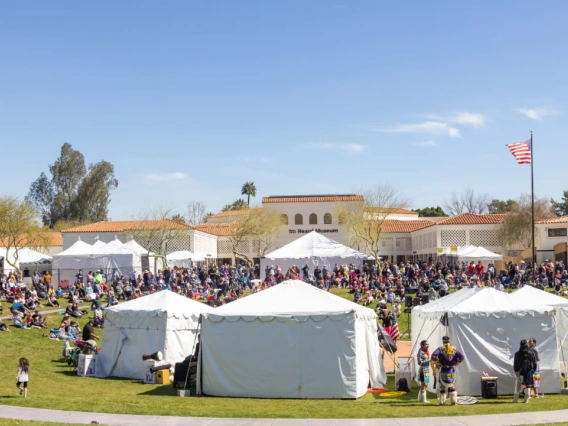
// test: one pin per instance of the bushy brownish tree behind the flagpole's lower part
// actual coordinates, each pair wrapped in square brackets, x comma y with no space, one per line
[516,228]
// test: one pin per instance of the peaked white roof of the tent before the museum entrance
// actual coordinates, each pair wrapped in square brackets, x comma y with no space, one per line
[314,245]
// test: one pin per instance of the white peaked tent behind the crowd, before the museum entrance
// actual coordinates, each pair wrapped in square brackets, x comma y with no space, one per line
[312,249]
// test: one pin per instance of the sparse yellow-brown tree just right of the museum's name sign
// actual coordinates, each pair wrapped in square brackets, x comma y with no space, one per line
[364,220]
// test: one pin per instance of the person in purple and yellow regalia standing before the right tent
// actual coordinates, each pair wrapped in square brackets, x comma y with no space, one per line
[445,359]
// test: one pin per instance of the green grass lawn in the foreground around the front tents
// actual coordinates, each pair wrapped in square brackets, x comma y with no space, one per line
[54,385]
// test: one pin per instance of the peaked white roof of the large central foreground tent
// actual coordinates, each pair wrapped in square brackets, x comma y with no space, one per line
[292,298]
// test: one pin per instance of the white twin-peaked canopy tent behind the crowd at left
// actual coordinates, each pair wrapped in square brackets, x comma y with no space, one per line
[110,256]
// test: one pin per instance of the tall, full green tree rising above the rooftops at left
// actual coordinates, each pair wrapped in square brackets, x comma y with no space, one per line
[74,192]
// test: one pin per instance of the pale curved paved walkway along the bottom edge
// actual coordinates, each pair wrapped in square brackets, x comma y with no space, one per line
[22,413]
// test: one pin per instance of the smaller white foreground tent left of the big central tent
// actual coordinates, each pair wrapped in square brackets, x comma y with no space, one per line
[162,321]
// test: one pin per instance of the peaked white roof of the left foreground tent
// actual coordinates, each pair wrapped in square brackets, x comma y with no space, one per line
[161,303]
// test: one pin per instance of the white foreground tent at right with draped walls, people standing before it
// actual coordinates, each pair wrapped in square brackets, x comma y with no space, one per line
[487,326]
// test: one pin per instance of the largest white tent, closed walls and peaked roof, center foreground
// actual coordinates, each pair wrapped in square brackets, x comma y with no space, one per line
[290,341]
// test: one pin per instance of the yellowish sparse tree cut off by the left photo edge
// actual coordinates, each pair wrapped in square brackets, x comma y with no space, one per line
[19,227]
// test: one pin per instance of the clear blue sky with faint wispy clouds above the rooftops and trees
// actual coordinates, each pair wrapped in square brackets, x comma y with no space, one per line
[190,99]
